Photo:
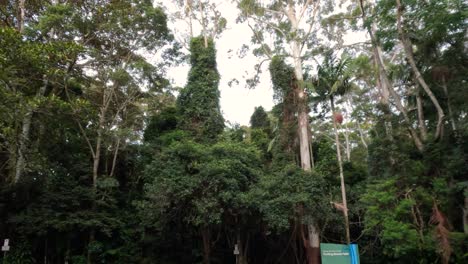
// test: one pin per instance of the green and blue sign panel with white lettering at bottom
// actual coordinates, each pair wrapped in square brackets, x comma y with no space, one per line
[339,254]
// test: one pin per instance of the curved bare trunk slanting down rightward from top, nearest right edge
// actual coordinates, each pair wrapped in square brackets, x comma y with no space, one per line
[409,55]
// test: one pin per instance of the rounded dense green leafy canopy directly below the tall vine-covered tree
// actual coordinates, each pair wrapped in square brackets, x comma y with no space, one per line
[203,182]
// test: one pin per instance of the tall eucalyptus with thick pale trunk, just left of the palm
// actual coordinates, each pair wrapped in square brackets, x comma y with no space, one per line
[292,29]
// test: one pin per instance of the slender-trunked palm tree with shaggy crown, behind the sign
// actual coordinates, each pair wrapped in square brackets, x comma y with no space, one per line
[333,80]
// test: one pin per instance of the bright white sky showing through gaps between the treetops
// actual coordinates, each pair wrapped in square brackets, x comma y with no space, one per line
[237,102]
